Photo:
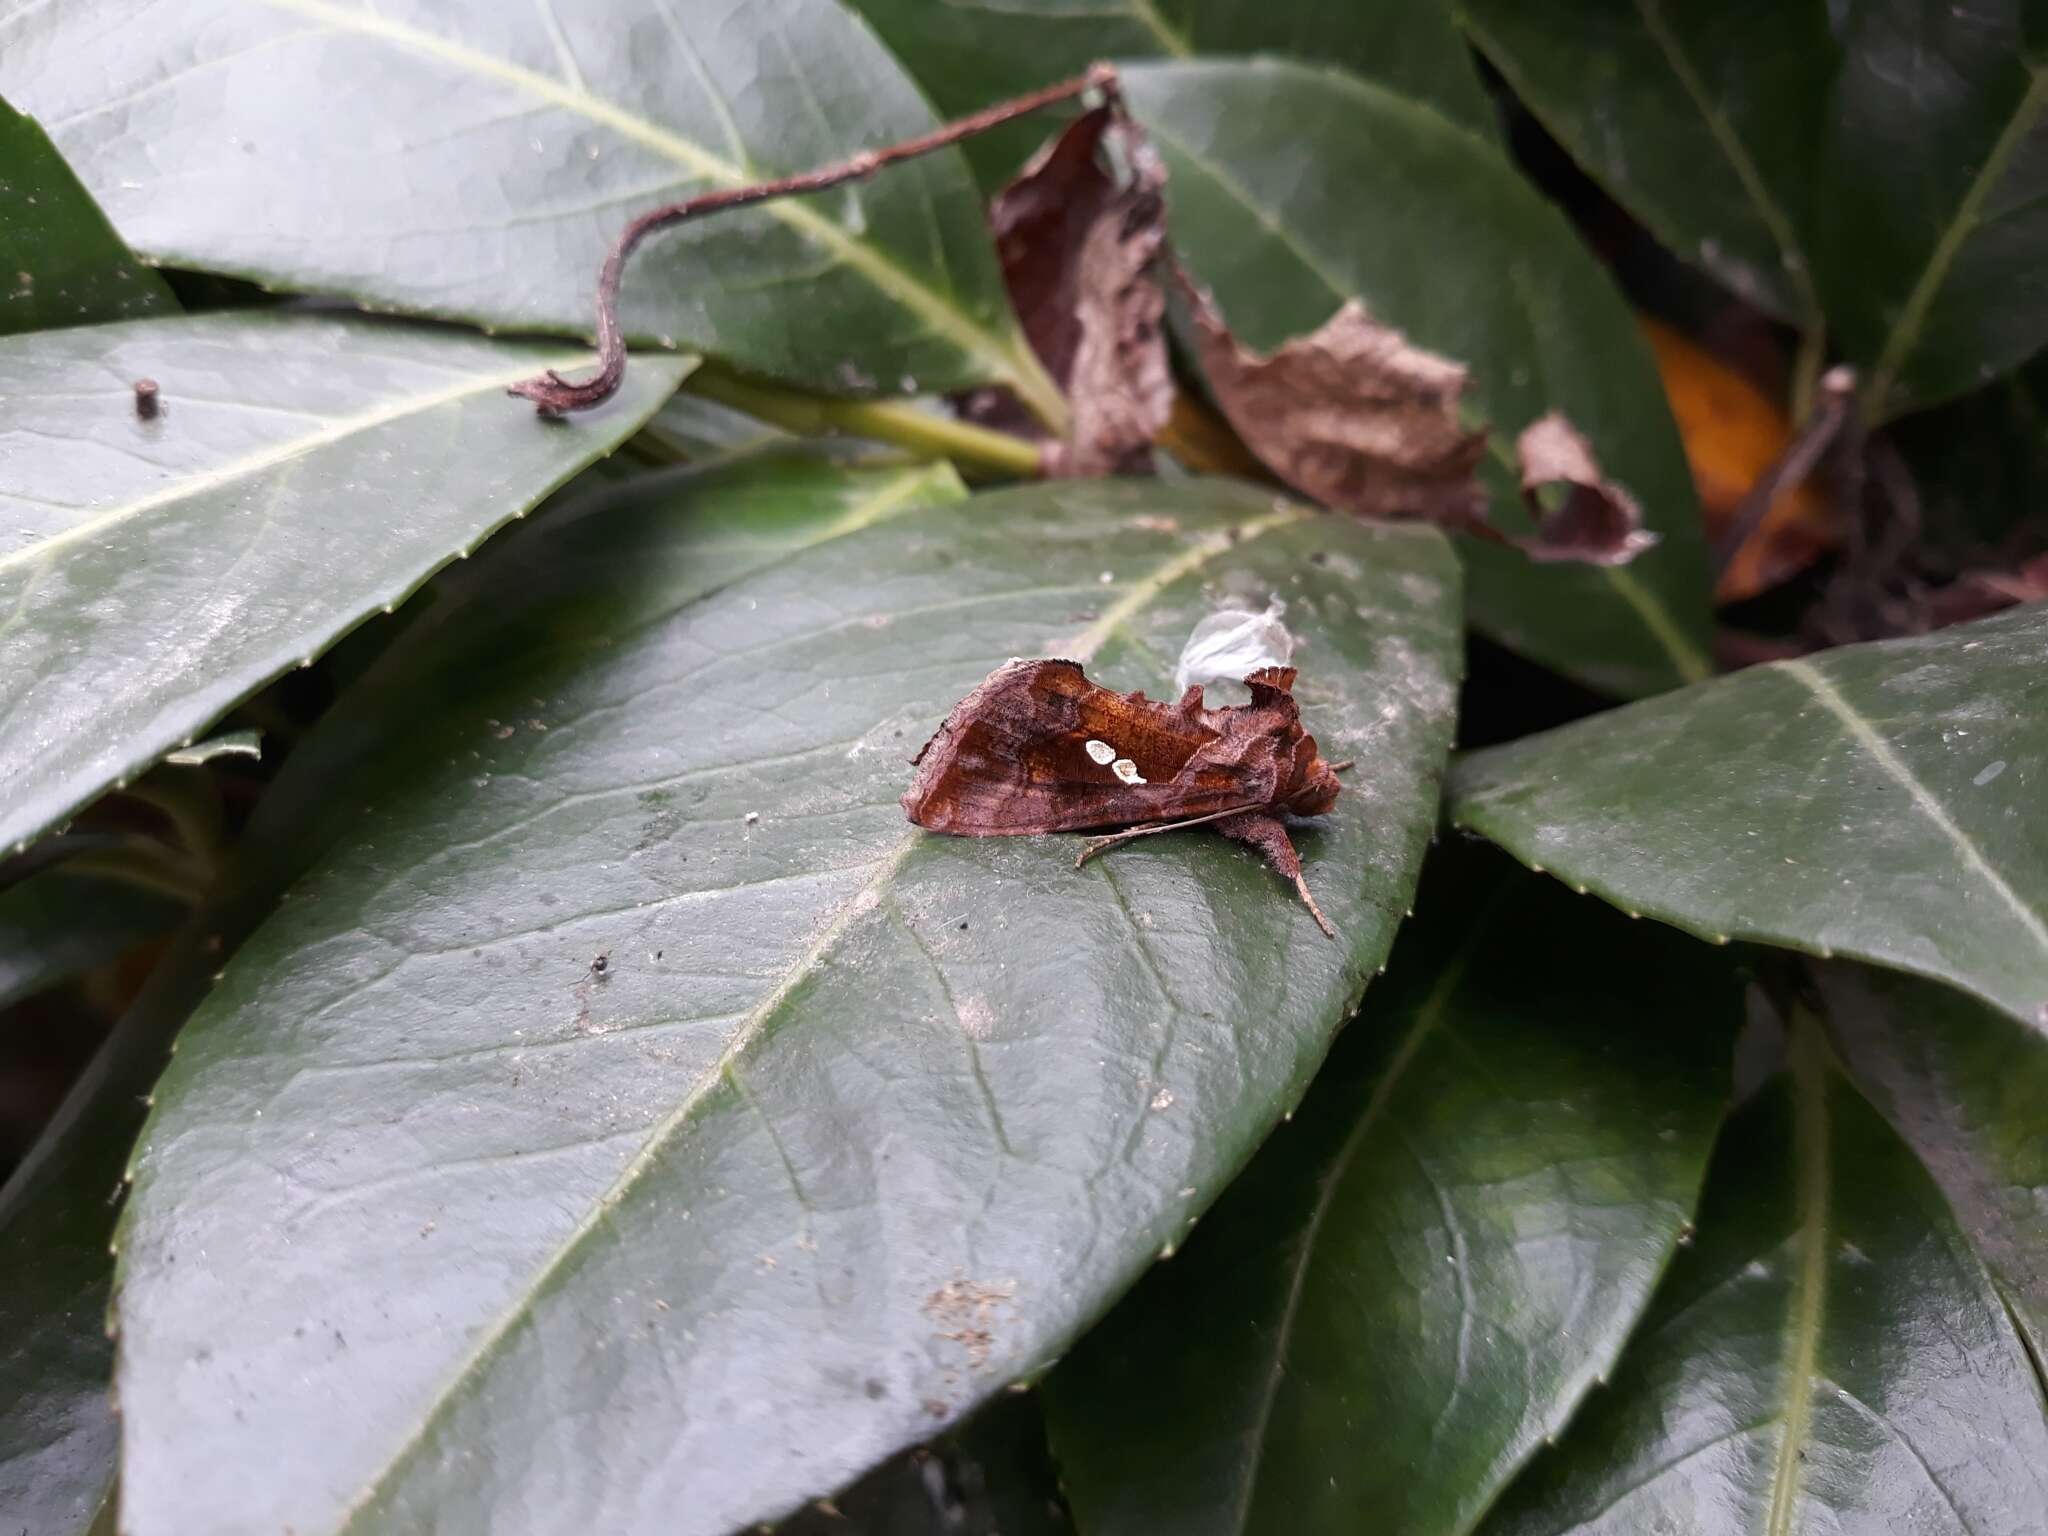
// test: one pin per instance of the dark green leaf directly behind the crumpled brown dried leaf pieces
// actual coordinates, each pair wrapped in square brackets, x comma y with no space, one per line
[1297,189]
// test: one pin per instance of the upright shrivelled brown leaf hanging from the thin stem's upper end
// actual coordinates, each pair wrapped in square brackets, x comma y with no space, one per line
[1078,251]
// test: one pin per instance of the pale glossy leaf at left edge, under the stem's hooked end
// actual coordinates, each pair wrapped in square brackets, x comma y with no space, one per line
[306,474]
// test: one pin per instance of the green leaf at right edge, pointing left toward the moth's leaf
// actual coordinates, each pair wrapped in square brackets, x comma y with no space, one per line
[1879,802]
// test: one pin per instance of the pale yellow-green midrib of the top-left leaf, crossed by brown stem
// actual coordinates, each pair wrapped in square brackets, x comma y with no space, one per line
[1002,355]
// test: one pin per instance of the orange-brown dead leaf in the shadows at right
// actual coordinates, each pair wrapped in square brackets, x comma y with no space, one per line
[1734,435]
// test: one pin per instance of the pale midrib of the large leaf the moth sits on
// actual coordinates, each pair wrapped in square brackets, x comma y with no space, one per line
[495,1334]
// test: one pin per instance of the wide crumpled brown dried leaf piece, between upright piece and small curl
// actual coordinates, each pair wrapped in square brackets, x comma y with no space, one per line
[1351,415]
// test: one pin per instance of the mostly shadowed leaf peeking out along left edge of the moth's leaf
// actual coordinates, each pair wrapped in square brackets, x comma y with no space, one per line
[58,1437]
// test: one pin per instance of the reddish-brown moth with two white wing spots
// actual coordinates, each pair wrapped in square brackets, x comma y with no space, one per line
[1041,749]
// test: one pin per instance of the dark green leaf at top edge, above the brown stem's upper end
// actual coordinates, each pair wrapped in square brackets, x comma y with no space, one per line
[972,56]
